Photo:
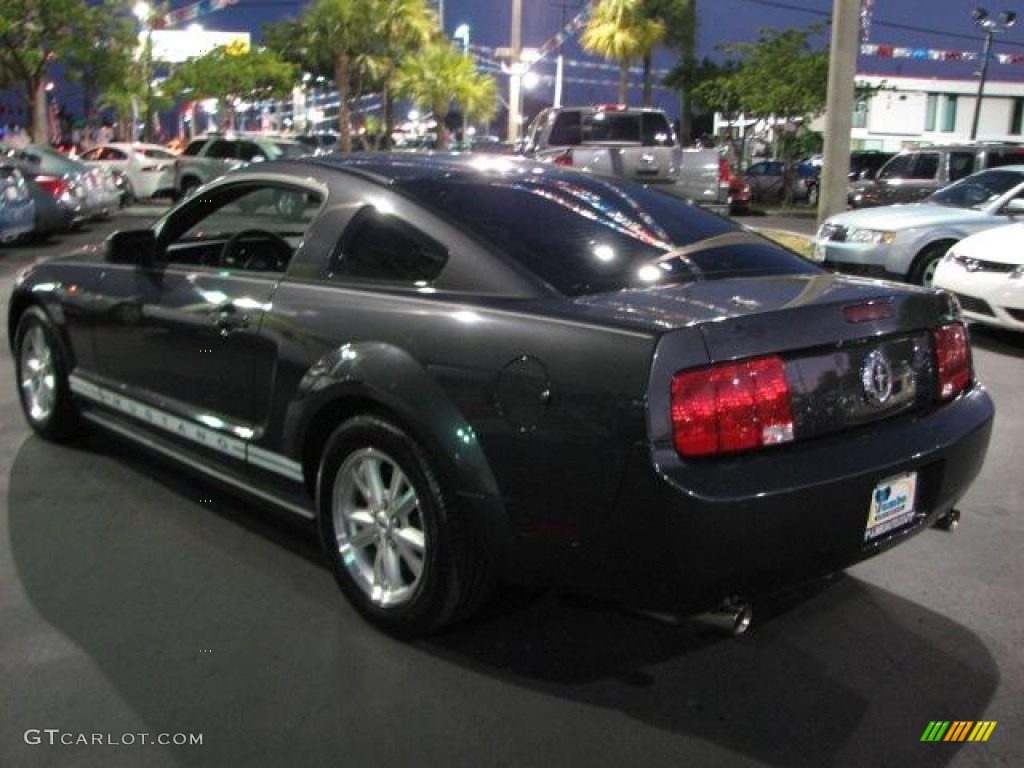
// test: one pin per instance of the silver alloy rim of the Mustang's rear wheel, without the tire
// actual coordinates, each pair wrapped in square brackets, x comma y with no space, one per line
[379,527]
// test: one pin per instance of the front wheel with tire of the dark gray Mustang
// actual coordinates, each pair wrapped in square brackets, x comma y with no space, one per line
[41,373]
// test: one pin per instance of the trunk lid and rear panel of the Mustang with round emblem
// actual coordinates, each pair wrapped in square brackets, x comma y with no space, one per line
[854,352]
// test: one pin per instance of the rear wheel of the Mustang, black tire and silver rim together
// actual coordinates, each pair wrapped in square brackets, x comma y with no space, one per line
[411,568]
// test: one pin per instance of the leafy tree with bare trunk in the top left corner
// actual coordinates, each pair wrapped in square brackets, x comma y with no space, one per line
[34,36]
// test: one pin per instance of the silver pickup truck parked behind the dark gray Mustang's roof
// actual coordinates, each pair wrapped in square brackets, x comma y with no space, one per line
[638,144]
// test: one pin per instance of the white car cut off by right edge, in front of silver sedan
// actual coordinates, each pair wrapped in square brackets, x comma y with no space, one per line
[986,272]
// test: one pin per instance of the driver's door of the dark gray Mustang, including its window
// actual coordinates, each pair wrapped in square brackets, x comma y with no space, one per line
[184,333]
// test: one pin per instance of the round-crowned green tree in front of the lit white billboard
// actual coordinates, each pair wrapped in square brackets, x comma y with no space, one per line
[229,72]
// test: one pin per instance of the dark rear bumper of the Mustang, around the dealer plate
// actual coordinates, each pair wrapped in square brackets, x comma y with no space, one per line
[682,539]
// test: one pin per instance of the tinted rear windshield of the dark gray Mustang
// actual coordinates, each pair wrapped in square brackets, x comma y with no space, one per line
[584,236]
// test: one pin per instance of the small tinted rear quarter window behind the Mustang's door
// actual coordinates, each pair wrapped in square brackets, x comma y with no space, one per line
[379,247]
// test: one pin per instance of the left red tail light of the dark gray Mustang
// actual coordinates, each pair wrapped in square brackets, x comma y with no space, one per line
[733,407]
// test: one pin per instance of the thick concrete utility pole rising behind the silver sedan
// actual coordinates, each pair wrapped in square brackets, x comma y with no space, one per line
[839,107]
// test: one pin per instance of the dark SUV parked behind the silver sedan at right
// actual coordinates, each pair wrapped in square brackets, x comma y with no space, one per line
[914,175]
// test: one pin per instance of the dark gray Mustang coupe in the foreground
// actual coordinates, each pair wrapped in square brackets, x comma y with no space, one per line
[468,371]
